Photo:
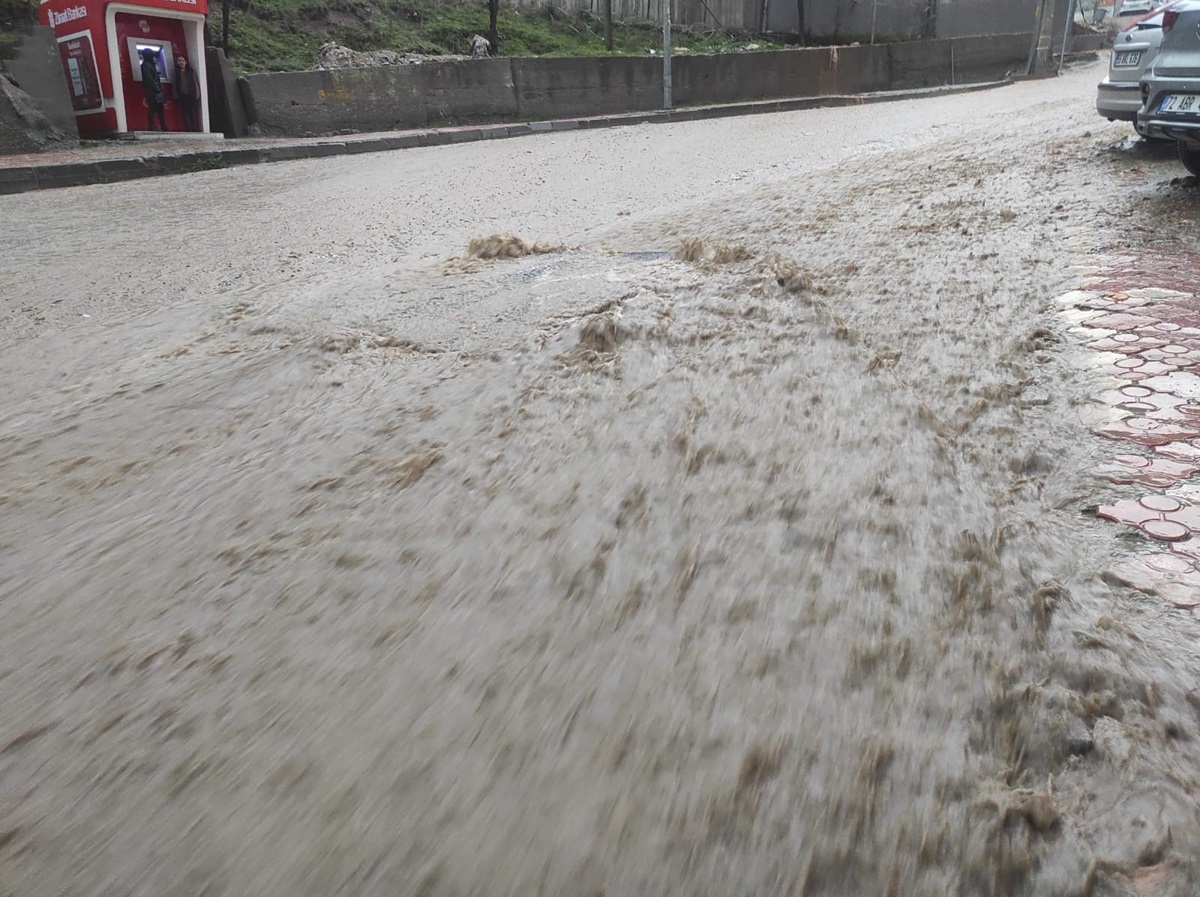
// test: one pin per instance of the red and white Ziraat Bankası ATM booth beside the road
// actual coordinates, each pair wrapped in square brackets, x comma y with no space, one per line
[101,45]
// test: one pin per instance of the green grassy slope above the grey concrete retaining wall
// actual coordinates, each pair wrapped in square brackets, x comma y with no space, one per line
[285,35]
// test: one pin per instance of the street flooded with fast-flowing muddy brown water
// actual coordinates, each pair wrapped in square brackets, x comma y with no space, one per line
[737,538]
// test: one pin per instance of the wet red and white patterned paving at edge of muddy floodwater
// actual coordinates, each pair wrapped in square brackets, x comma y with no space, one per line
[1143,330]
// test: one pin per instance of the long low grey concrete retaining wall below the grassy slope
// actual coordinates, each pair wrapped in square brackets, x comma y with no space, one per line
[497,91]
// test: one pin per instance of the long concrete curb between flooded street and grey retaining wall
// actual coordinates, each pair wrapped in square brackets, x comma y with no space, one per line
[22,179]
